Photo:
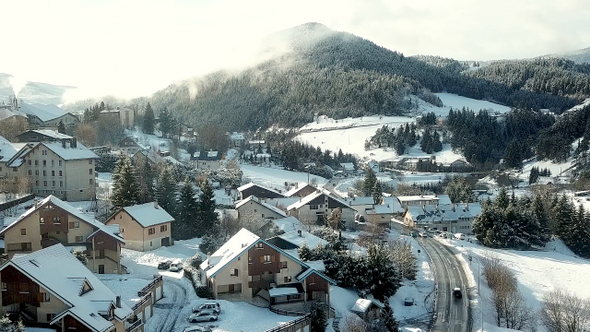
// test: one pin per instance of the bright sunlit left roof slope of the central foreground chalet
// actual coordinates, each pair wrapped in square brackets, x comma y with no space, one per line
[230,250]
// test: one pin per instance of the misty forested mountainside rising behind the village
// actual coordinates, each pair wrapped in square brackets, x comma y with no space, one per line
[341,75]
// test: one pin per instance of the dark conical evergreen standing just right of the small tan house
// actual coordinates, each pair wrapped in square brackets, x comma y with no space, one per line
[187,211]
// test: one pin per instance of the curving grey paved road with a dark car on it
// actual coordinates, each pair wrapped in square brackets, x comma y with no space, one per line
[450,314]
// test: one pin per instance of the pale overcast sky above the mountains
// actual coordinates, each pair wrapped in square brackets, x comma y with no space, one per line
[135,47]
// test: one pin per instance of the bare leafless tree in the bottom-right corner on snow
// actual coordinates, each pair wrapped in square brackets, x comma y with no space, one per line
[565,312]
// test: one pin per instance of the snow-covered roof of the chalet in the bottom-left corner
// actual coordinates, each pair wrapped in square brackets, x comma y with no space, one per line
[63,275]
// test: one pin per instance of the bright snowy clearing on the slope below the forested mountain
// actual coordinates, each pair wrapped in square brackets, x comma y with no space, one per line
[350,134]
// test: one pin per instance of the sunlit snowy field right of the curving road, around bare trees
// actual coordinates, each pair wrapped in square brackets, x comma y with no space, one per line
[537,272]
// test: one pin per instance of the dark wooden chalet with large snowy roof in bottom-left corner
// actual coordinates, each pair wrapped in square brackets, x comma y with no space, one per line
[52,288]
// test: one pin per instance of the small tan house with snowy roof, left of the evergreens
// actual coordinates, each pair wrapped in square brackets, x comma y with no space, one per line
[144,227]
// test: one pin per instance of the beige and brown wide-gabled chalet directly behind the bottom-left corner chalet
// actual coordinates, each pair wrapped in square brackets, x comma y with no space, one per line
[53,221]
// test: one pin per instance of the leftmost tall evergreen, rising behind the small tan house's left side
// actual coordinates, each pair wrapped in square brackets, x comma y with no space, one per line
[125,192]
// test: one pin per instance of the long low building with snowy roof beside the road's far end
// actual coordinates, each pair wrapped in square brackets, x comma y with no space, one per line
[454,218]
